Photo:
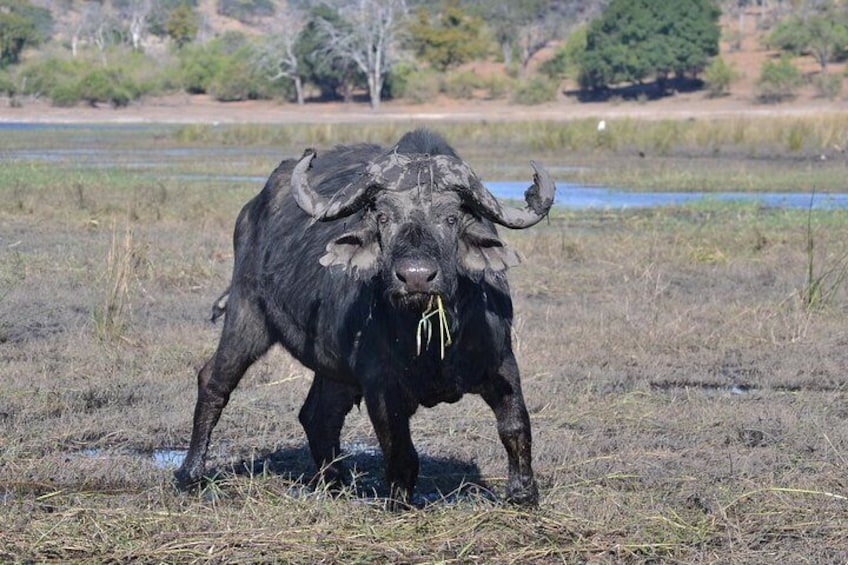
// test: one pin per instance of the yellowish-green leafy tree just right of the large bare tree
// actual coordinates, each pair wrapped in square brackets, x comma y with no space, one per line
[453,39]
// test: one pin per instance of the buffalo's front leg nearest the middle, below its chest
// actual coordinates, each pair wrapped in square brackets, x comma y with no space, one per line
[391,424]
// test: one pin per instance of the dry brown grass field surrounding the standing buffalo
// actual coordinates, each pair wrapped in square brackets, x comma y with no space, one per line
[685,371]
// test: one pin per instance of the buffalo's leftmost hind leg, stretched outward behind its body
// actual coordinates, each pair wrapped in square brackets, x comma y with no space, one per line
[243,341]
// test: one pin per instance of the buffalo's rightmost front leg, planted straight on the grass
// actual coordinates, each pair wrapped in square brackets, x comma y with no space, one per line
[503,395]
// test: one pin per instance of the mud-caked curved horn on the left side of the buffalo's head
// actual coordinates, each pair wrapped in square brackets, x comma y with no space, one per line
[344,203]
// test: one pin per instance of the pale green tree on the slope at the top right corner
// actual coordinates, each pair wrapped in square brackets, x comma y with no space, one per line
[822,34]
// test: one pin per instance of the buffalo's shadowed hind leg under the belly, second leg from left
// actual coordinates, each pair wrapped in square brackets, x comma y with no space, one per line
[322,416]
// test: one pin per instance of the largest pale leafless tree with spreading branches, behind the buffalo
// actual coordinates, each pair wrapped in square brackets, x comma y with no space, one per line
[369,38]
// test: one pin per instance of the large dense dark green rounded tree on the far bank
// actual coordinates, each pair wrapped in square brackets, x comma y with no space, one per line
[638,39]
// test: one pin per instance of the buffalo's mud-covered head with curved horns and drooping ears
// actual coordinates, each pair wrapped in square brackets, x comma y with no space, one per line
[423,219]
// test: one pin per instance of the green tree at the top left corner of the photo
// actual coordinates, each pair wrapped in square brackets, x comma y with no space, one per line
[21,25]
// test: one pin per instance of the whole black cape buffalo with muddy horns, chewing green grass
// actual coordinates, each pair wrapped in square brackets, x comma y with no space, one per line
[338,259]
